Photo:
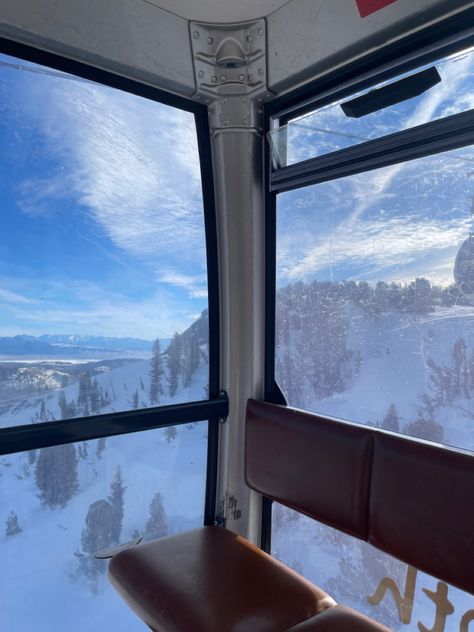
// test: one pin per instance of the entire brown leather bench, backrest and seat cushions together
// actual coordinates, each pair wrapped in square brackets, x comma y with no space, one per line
[379,487]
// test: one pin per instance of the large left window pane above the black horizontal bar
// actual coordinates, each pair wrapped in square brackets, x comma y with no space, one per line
[102,250]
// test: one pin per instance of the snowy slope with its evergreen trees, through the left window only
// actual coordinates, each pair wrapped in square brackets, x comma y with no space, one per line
[59,504]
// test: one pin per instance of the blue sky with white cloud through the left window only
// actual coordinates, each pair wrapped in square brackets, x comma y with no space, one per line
[101,229]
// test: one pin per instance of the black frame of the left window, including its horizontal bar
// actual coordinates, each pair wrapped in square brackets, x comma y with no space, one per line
[47,434]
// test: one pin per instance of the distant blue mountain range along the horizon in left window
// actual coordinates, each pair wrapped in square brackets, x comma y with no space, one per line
[73,346]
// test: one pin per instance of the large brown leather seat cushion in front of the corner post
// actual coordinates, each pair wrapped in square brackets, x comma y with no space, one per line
[211,580]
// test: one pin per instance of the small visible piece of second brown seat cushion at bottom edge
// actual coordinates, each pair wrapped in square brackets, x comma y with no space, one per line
[339,619]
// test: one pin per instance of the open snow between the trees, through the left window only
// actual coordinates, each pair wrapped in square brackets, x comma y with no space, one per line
[41,584]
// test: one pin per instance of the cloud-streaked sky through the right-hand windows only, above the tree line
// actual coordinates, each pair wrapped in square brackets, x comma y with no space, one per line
[392,224]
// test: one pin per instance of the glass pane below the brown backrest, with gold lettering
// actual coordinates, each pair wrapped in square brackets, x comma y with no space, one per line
[358,575]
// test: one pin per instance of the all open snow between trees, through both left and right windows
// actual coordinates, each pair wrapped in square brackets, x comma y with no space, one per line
[41,584]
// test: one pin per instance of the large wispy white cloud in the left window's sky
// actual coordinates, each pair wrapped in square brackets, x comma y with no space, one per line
[131,164]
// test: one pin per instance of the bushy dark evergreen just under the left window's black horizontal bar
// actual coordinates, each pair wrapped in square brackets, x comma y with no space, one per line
[56,475]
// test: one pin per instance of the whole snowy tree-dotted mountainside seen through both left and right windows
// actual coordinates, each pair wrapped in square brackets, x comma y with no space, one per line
[339,352]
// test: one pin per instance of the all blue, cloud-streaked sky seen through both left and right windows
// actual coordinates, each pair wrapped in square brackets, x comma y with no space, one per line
[101,229]
